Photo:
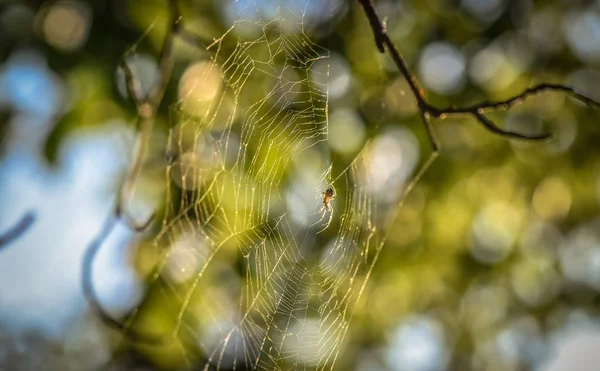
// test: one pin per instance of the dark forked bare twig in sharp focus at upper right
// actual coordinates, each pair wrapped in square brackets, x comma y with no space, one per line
[427,110]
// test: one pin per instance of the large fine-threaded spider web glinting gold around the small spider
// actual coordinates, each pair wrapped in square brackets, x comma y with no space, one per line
[252,271]
